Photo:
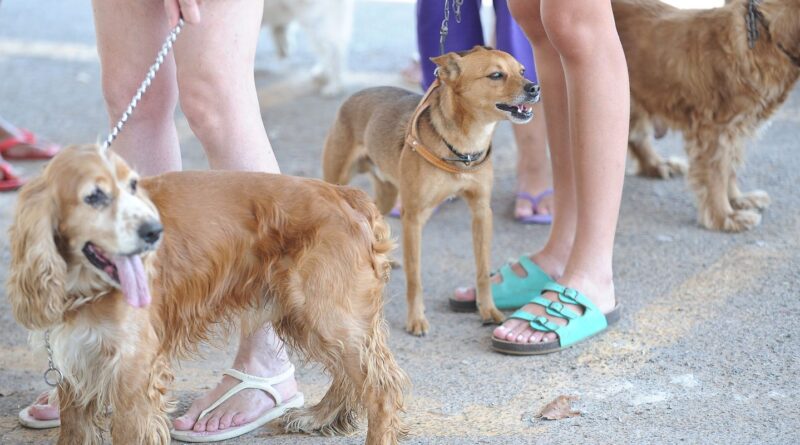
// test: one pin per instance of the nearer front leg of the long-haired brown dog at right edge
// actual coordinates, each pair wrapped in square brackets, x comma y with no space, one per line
[712,164]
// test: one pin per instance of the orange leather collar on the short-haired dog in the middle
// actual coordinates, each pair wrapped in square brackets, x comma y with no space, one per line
[415,144]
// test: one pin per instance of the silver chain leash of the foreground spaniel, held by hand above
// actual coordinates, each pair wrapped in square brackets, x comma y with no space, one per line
[53,376]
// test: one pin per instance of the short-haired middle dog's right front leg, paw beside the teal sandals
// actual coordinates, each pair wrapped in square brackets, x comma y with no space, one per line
[481,244]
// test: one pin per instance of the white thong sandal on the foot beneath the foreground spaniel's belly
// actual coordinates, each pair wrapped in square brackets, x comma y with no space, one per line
[247,381]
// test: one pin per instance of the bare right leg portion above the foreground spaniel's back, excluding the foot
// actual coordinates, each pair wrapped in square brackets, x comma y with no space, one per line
[215,65]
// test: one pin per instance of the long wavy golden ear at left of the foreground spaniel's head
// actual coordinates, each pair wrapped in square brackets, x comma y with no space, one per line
[36,283]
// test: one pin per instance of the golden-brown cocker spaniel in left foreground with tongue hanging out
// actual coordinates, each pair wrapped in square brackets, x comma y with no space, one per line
[304,255]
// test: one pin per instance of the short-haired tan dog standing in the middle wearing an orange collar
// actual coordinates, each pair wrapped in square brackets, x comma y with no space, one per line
[431,149]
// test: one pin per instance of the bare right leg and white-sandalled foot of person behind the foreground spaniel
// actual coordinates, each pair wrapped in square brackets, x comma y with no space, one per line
[215,66]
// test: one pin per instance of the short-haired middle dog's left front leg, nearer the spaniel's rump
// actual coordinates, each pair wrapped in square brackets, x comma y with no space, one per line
[413,219]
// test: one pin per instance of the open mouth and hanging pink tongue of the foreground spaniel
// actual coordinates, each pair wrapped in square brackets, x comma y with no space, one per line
[125,270]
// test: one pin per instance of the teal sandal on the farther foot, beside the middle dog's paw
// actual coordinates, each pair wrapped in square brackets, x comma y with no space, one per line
[514,291]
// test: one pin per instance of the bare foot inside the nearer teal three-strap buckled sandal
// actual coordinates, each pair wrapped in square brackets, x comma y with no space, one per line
[520,331]
